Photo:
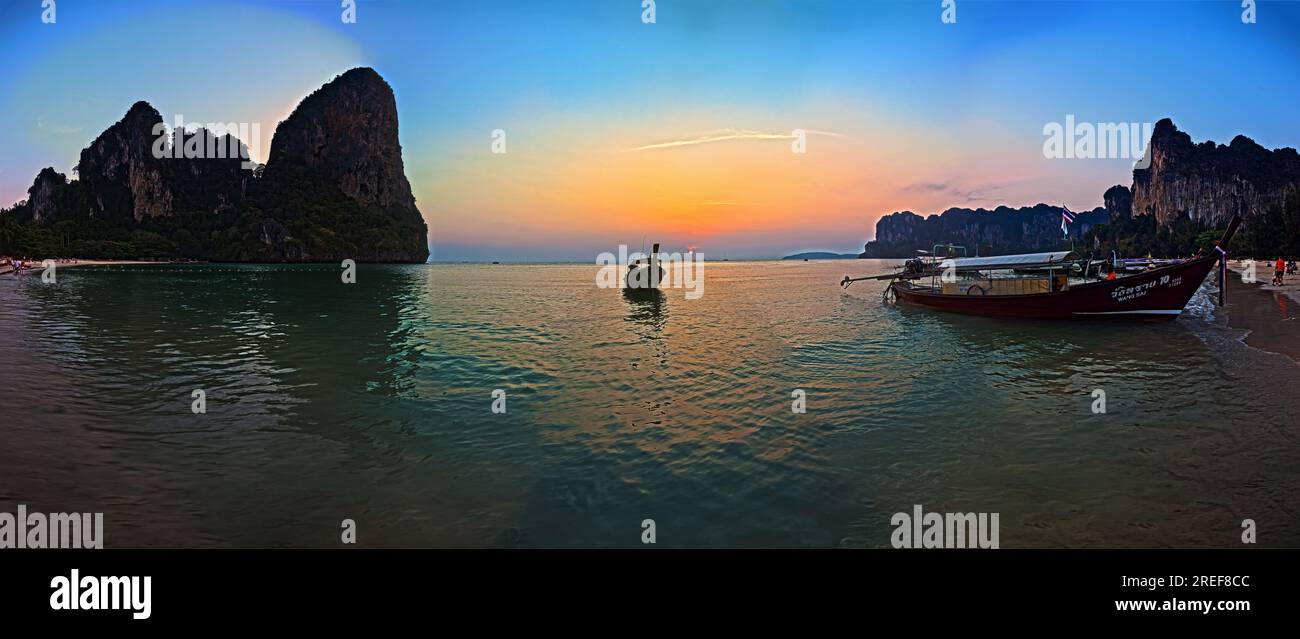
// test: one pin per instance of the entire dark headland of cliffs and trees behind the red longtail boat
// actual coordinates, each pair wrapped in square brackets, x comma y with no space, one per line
[1173,208]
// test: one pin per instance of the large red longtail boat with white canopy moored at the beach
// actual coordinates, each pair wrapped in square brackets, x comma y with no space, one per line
[1052,285]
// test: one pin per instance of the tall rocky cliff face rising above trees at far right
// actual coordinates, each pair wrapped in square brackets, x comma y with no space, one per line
[1212,182]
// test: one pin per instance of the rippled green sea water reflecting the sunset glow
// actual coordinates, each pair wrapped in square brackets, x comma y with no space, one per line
[374,402]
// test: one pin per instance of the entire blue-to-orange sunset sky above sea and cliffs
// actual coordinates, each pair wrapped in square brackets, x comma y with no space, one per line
[682,131]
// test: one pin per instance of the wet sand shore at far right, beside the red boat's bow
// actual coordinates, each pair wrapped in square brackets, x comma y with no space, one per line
[1271,315]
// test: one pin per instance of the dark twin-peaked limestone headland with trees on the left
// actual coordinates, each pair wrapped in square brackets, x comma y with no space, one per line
[333,188]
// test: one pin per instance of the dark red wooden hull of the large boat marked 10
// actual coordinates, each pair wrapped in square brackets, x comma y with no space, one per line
[1159,294]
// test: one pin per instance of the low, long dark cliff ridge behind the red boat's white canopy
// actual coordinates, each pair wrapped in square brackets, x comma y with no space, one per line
[998,232]
